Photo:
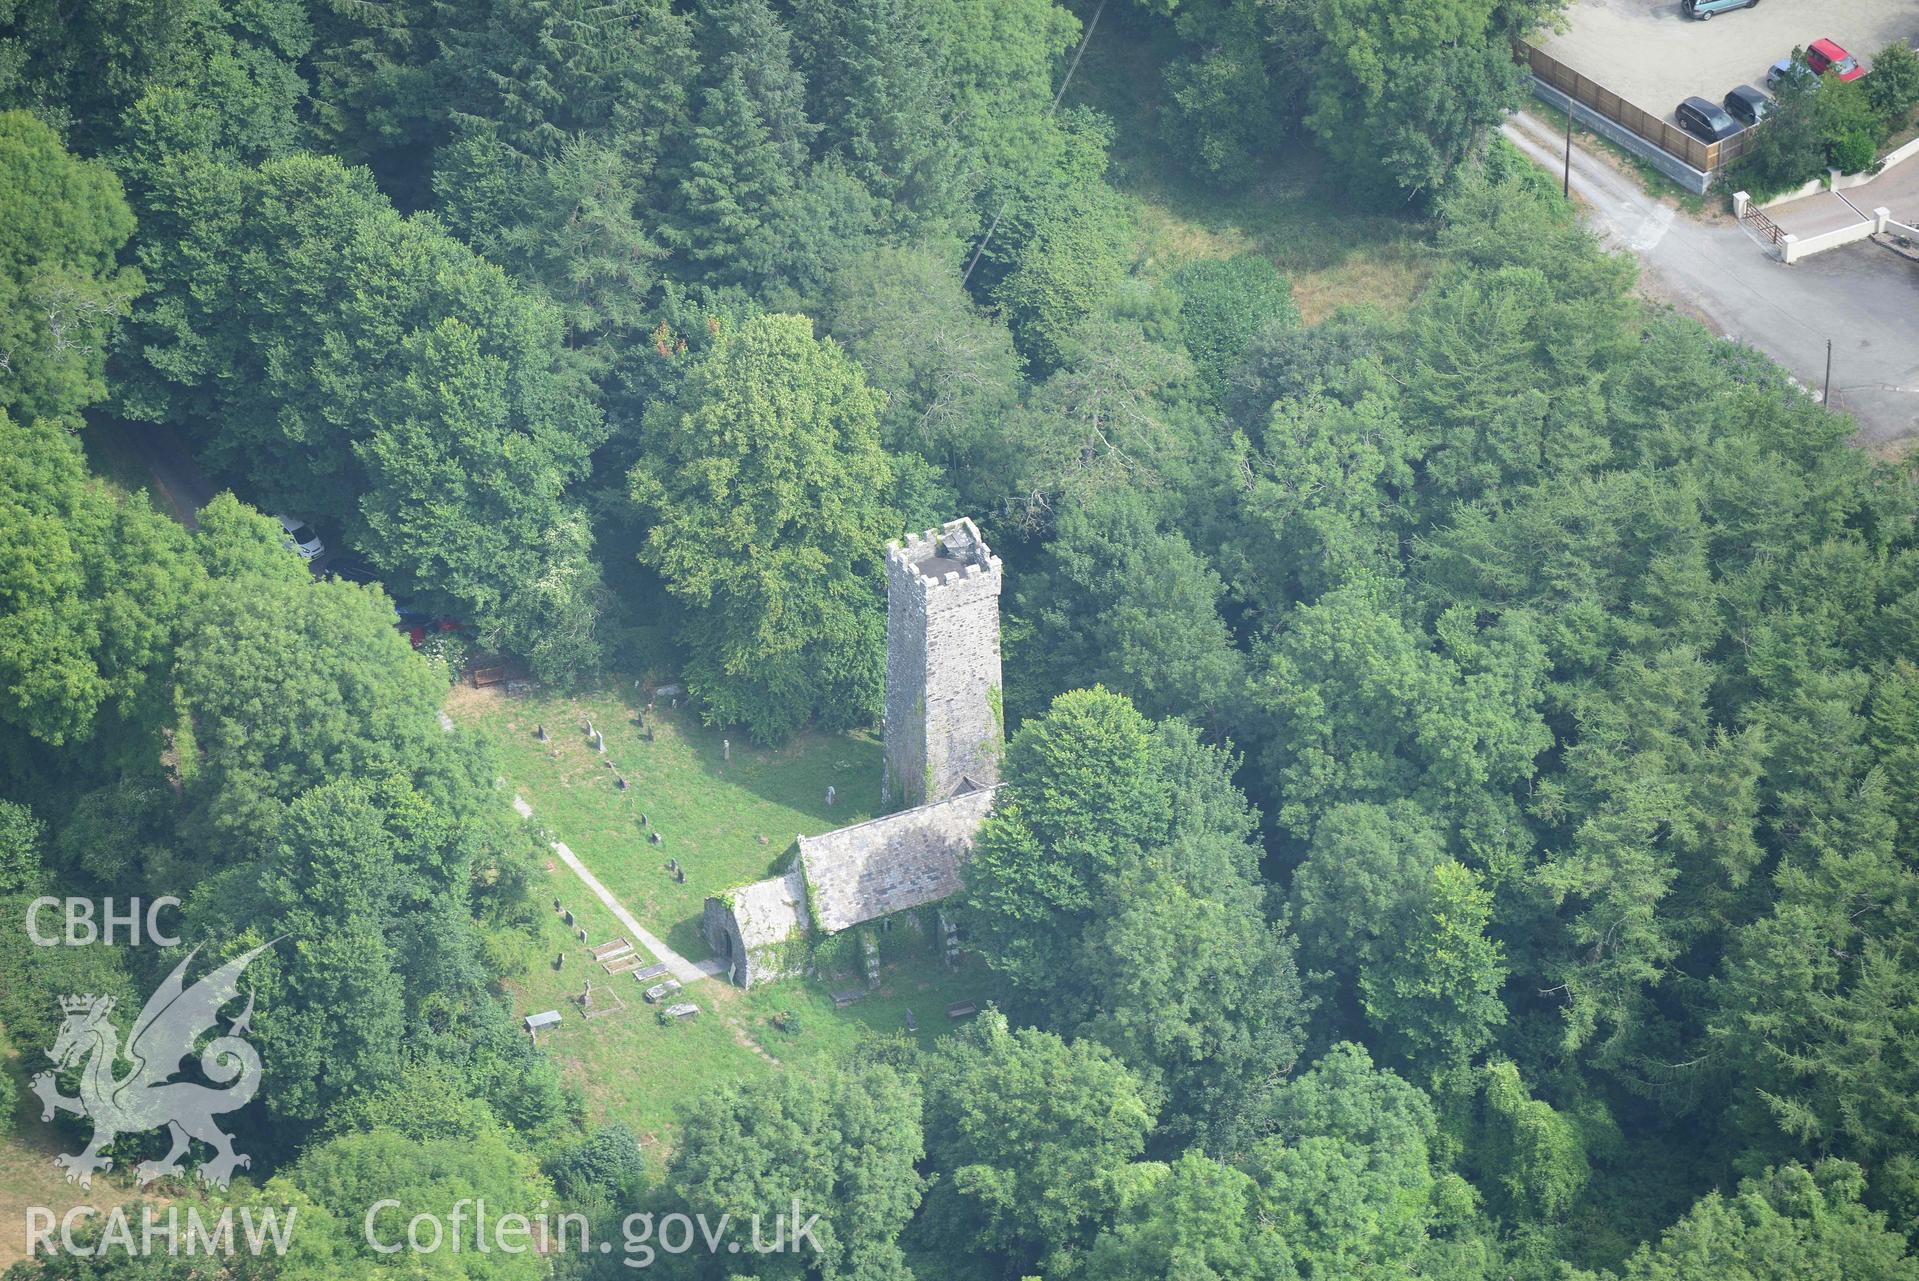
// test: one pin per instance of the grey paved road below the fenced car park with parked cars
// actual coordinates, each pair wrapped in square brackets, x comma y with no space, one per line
[1862,296]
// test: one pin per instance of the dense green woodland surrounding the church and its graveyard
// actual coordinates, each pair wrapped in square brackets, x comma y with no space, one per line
[1465,762]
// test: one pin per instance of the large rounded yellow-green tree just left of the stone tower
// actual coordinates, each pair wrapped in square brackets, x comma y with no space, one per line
[765,496]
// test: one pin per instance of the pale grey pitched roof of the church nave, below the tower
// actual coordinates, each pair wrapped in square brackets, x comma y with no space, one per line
[891,864]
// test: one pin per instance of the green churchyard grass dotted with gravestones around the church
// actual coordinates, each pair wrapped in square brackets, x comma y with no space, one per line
[628,1065]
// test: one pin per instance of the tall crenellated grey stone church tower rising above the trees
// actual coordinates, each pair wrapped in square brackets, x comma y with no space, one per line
[945,720]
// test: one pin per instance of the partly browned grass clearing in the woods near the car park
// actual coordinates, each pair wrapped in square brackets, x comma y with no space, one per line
[1337,254]
